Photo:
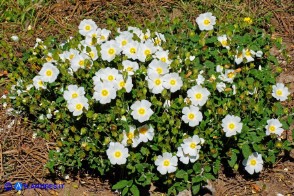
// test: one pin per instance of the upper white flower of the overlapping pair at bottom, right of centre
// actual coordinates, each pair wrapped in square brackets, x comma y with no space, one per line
[191,145]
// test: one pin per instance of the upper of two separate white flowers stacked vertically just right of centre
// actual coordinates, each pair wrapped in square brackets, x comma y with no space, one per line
[198,95]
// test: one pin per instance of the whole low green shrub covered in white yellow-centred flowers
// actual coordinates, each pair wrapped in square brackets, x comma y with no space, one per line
[165,106]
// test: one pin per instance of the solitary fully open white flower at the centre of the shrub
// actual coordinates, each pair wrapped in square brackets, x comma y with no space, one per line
[141,110]
